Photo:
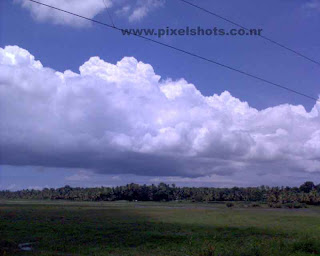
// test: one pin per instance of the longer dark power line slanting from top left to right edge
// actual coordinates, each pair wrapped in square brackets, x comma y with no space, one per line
[183,51]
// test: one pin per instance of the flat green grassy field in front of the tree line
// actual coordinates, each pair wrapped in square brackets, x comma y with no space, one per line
[123,228]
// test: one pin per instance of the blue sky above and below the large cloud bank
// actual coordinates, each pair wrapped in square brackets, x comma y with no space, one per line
[66,47]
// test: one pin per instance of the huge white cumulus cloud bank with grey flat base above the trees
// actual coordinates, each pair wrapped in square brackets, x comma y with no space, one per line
[122,118]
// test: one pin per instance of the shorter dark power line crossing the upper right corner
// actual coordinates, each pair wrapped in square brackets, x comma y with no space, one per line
[247,29]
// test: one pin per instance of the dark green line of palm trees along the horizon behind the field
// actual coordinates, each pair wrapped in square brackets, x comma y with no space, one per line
[307,193]
